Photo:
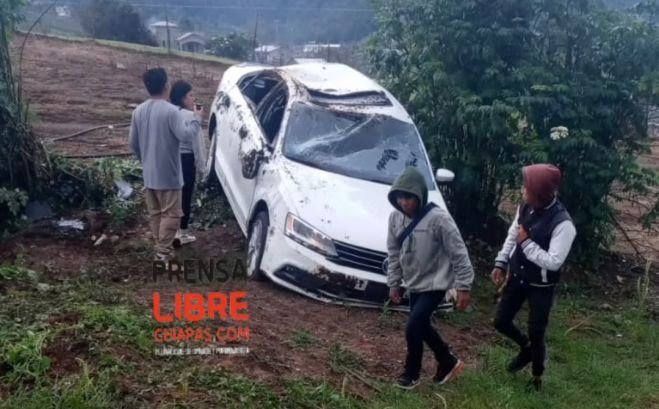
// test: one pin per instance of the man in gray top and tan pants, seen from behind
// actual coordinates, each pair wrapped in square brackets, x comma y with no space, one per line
[156,133]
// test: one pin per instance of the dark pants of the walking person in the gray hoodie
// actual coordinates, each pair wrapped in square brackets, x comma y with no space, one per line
[419,329]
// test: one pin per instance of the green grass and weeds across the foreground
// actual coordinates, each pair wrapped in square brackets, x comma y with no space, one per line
[597,359]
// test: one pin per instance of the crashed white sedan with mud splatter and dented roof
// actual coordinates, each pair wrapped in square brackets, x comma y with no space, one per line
[306,155]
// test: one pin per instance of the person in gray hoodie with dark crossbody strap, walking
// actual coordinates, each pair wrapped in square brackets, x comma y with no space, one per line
[427,254]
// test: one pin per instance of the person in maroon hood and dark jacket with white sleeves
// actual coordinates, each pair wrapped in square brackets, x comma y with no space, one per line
[538,243]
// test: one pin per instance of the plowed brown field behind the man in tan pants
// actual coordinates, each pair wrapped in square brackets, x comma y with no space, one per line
[74,86]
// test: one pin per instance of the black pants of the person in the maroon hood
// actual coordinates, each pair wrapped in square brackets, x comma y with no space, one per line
[540,301]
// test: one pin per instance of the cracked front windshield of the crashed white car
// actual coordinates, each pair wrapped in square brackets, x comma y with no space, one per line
[372,147]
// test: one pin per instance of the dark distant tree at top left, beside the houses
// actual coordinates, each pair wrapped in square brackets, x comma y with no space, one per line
[115,20]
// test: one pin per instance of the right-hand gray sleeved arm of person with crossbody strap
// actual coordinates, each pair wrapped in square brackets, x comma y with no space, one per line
[447,232]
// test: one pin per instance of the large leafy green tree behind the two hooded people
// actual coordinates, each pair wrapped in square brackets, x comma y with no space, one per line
[497,85]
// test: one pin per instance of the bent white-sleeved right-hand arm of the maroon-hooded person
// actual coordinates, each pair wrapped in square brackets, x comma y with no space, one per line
[559,248]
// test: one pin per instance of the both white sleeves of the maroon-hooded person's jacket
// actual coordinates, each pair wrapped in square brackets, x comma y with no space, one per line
[552,259]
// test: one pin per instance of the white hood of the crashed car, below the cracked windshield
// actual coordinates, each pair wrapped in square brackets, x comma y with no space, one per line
[346,209]
